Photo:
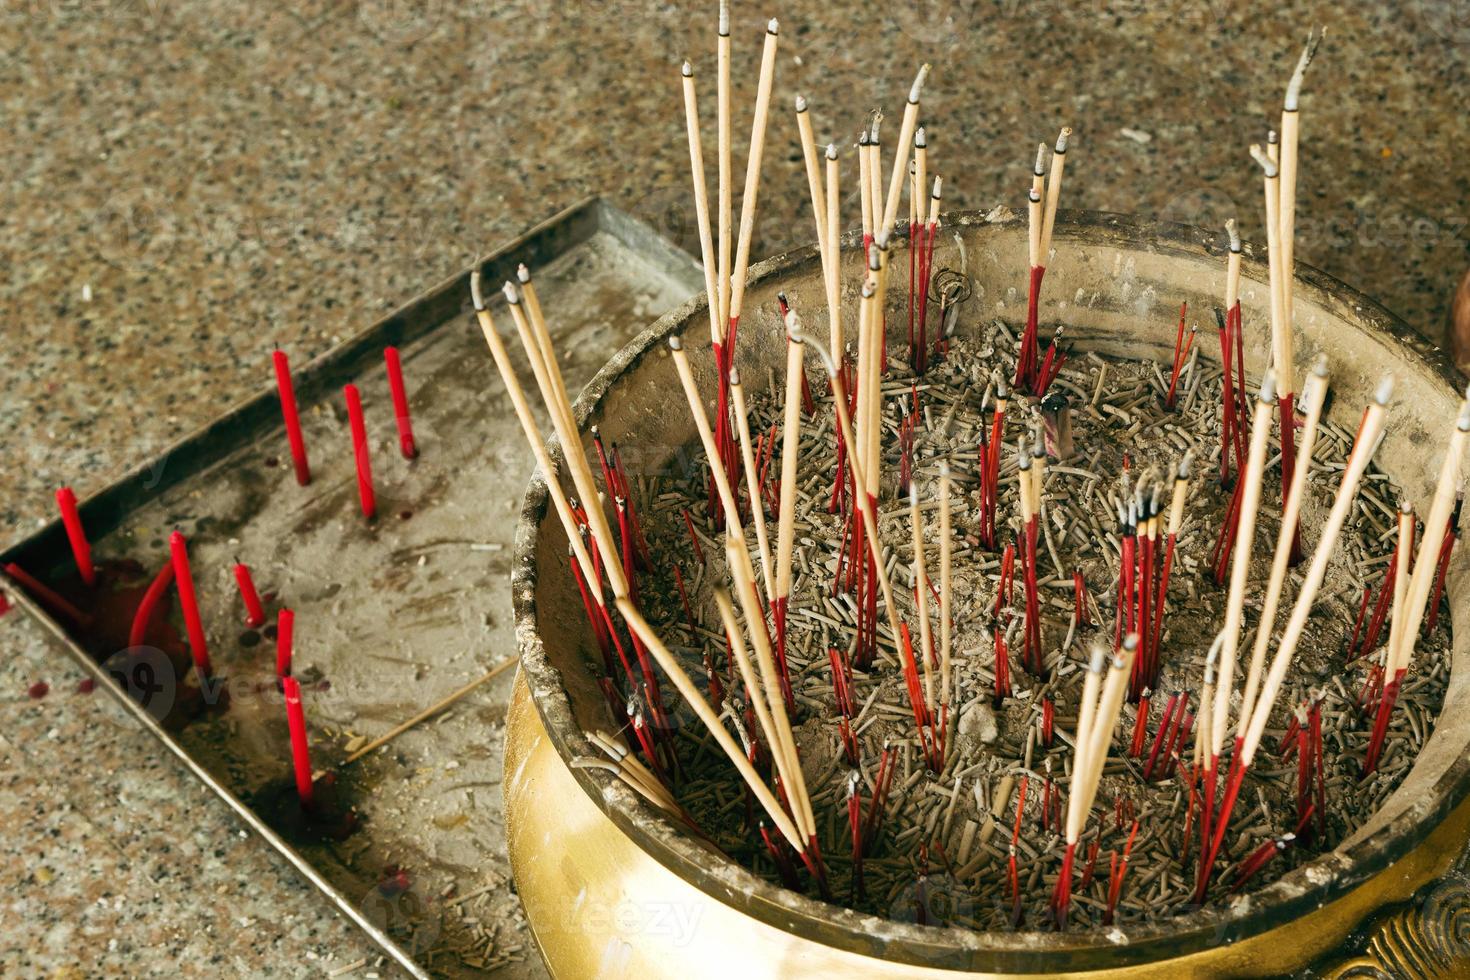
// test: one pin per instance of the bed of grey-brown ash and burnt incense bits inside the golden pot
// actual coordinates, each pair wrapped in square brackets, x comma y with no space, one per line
[939,846]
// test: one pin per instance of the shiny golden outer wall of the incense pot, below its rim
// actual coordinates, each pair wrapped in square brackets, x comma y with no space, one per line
[602,907]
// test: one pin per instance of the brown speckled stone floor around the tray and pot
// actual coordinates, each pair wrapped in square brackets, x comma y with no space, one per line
[186,186]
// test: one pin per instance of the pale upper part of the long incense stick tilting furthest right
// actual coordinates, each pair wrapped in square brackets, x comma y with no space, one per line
[1347,491]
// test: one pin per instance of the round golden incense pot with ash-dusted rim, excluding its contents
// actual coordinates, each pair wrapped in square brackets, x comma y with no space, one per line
[612,890]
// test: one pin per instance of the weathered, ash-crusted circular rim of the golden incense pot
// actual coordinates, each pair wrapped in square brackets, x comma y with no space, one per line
[1418,807]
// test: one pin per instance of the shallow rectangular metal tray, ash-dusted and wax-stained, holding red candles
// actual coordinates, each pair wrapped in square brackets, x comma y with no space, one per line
[392,615]
